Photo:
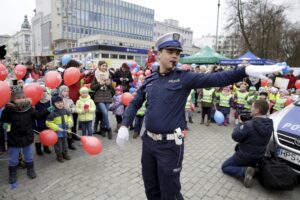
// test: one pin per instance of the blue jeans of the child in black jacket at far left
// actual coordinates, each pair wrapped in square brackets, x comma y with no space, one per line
[13,155]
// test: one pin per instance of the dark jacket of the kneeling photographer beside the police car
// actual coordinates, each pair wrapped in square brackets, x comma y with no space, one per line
[252,137]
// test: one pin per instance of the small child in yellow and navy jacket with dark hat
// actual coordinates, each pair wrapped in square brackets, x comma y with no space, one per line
[60,120]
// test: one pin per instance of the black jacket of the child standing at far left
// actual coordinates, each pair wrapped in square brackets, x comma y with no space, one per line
[21,133]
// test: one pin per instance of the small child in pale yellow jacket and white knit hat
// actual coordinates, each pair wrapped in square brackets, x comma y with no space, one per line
[85,107]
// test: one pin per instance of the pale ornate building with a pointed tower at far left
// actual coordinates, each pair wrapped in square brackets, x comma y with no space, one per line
[19,45]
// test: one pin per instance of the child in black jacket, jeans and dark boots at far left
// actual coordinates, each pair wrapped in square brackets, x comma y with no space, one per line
[21,115]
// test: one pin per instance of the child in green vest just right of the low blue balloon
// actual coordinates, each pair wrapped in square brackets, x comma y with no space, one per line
[225,102]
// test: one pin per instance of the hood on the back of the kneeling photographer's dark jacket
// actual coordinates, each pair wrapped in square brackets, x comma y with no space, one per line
[263,125]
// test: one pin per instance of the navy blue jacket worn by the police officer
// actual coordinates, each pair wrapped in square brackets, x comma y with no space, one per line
[166,96]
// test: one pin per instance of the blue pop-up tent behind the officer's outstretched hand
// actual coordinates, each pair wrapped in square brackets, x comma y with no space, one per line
[250,57]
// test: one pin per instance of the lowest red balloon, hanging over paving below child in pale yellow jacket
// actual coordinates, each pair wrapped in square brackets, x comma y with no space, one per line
[91,145]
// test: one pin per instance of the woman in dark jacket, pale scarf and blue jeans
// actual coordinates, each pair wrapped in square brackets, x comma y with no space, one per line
[103,96]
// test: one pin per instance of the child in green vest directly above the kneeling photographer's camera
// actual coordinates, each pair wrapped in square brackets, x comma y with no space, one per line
[240,100]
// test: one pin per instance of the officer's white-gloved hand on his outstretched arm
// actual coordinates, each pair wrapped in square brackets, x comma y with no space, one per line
[259,71]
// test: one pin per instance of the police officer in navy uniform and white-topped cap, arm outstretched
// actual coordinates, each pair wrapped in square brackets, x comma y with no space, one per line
[165,92]
